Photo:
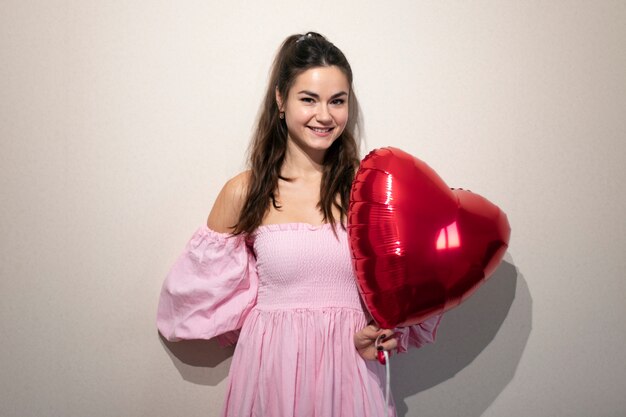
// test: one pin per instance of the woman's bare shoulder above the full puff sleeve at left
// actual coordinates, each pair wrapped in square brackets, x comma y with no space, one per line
[228,204]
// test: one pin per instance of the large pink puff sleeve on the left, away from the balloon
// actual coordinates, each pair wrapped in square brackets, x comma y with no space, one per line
[210,289]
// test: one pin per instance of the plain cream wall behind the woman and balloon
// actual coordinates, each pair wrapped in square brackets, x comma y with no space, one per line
[121,120]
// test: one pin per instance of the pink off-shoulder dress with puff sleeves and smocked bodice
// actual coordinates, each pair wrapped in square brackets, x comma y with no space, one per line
[288,297]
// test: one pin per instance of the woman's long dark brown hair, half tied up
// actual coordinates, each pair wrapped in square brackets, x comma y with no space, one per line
[297,54]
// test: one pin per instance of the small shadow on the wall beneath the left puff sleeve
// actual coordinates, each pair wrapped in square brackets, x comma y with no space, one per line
[202,362]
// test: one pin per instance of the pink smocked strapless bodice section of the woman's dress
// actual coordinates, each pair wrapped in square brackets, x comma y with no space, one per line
[304,266]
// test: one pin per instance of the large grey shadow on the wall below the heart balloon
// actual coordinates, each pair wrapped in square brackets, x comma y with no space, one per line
[479,343]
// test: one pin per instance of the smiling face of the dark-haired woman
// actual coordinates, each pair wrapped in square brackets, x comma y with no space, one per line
[316,108]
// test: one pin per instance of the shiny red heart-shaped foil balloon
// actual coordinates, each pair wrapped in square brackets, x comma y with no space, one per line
[419,248]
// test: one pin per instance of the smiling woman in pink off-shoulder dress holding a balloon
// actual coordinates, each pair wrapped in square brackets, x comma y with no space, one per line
[272,269]
